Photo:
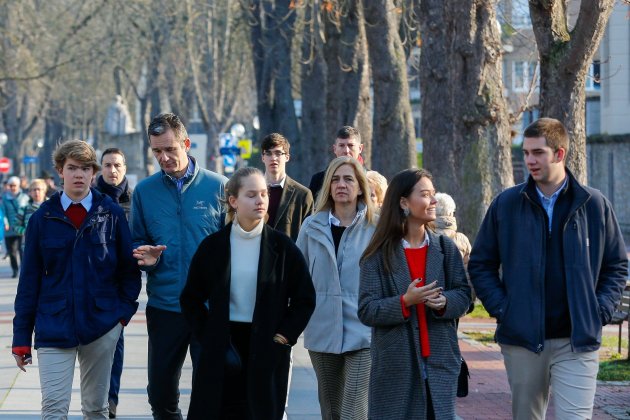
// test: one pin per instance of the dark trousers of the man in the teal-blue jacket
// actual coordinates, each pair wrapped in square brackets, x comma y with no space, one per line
[169,340]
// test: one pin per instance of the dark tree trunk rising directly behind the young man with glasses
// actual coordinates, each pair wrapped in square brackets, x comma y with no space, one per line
[271,36]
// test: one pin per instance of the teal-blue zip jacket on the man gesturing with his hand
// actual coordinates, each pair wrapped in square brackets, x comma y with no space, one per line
[161,215]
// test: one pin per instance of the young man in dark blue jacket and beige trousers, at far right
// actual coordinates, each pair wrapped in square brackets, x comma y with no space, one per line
[549,263]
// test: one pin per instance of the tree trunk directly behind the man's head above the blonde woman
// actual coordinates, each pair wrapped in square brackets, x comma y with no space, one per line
[348,97]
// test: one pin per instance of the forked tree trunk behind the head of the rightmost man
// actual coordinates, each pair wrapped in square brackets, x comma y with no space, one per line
[565,57]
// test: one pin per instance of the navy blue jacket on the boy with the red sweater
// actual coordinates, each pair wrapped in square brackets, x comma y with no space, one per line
[75,285]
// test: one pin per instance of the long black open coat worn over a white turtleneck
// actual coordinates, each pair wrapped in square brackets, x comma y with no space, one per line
[285,300]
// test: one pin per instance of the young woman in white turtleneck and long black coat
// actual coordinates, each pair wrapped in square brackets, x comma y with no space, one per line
[248,289]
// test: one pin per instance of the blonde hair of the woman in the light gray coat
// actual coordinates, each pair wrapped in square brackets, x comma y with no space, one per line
[324,198]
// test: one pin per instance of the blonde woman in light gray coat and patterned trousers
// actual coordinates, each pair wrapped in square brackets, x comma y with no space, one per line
[332,240]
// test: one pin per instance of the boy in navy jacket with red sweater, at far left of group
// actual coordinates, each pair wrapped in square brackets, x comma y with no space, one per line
[78,287]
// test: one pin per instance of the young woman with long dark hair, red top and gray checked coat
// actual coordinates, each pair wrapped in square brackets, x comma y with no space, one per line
[412,290]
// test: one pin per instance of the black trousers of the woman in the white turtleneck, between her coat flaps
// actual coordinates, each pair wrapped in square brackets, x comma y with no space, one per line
[234,399]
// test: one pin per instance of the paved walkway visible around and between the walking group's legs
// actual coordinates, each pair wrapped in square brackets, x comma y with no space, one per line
[489,396]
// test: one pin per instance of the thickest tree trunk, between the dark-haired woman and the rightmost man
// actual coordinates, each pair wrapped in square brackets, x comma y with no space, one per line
[465,126]
